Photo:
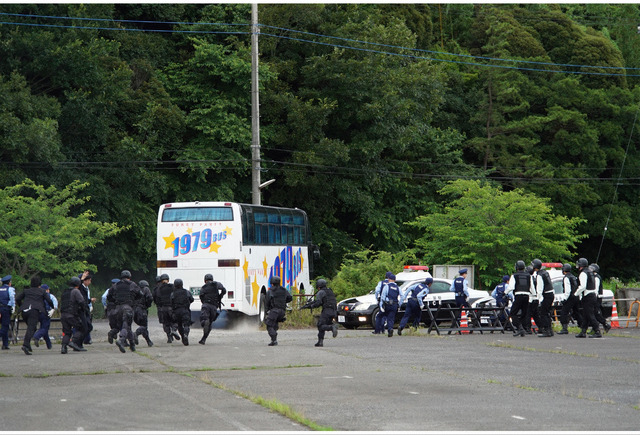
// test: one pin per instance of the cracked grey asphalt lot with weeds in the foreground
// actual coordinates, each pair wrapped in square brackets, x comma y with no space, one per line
[358,381]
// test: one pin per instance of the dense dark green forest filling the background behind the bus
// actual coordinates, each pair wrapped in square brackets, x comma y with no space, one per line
[367,111]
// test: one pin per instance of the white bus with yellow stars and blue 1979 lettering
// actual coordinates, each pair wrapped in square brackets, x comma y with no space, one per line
[241,245]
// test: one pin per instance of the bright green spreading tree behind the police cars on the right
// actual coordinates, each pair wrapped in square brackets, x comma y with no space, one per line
[492,229]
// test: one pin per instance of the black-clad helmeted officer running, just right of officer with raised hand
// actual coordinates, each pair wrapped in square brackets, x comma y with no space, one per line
[124,295]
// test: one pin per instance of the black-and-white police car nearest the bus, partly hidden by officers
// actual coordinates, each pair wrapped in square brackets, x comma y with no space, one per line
[362,310]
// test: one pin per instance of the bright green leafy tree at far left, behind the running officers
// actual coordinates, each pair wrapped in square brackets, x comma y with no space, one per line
[41,232]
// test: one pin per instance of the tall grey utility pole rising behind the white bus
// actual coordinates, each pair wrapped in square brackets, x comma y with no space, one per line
[255,110]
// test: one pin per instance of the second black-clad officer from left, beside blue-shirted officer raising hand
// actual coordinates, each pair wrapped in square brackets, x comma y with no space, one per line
[72,304]
